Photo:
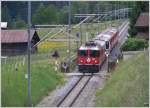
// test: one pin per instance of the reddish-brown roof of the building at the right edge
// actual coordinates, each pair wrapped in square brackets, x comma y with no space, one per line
[143,20]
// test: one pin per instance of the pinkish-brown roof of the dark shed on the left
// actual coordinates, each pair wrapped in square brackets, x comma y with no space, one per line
[15,36]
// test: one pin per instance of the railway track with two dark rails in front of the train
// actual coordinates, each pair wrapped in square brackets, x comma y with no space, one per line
[69,99]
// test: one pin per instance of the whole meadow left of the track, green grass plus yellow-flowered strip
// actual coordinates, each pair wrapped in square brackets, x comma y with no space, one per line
[43,76]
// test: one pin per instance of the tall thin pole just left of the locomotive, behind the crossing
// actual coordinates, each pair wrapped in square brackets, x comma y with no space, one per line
[69,33]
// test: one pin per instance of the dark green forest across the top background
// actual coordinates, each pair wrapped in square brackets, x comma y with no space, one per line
[55,12]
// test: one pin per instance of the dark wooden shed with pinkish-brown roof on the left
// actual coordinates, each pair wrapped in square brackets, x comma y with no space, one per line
[15,42]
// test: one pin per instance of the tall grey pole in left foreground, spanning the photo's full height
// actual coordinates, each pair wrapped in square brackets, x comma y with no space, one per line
[29,51]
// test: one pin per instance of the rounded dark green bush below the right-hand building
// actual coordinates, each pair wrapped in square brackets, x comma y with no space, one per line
[134,44]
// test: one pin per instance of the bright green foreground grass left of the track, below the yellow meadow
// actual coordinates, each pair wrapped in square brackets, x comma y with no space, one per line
[14,84]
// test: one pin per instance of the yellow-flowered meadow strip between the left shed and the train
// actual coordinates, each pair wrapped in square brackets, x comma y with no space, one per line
[47,49]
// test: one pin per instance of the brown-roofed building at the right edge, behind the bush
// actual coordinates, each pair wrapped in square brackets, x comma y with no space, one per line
[142,25]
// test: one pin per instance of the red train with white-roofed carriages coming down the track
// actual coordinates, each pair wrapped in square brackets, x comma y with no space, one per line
[91,55]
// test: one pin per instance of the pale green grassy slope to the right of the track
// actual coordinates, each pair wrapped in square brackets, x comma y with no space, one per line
[128,85]
